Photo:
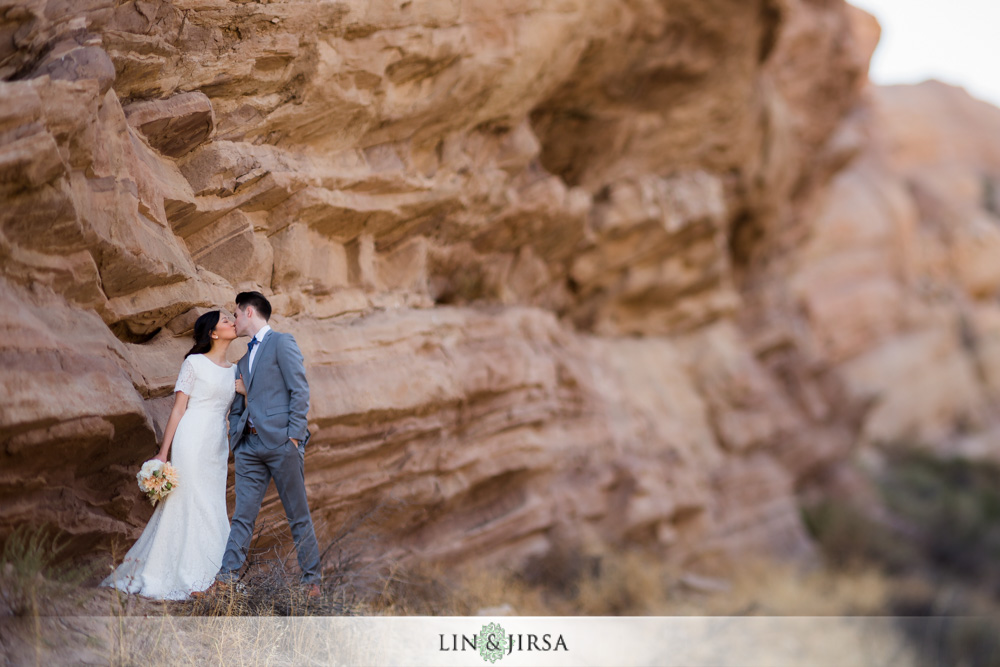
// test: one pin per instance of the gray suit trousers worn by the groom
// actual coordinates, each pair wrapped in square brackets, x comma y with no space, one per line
[256,464]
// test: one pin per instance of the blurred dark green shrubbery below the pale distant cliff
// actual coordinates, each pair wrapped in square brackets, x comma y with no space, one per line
[935,538]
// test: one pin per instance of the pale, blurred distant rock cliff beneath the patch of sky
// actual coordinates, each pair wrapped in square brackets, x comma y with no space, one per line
[899,278]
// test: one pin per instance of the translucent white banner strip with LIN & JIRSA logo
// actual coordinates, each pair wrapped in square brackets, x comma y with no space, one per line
[505,641]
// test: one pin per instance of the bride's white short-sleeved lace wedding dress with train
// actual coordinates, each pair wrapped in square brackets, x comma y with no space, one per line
[181,548]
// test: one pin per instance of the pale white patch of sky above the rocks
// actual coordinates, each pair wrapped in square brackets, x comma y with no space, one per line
[955,41]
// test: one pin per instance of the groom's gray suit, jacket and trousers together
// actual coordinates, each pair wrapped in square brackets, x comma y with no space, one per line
[276,404]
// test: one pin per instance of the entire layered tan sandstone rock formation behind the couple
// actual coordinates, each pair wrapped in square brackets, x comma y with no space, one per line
[585,271]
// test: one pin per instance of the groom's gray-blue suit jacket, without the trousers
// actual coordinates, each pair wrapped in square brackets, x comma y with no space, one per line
[277,397]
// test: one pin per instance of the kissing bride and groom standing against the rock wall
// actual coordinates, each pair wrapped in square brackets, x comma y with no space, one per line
[258,406]
